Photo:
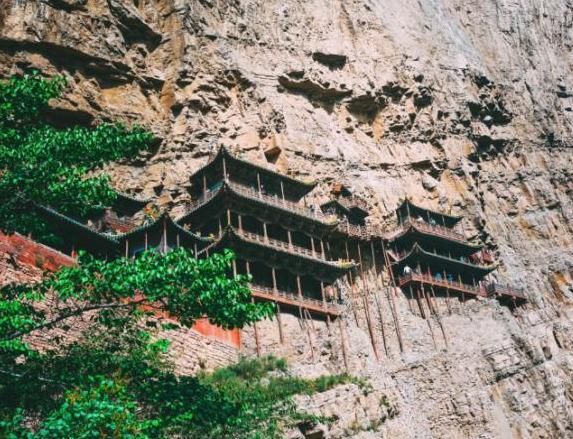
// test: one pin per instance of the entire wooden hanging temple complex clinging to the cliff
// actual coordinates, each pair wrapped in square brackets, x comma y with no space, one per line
[303,259]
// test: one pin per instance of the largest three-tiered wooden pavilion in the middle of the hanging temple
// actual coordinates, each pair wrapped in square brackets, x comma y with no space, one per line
[281,243]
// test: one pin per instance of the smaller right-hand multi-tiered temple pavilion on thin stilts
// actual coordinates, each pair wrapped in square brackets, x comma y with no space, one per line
[429,256]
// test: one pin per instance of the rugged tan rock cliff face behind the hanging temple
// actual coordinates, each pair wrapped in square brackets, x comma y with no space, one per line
[464,105]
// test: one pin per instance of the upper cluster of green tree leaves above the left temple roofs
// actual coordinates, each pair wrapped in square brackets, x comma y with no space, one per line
[42,164]
